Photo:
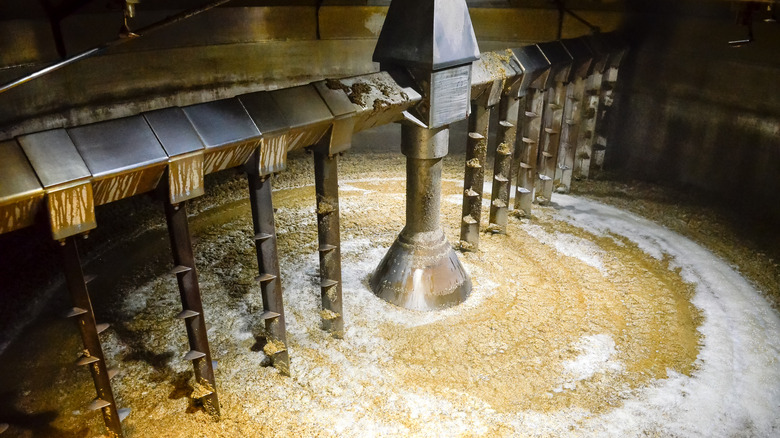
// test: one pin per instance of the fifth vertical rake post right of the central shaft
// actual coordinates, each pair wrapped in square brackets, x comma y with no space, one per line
[575,91]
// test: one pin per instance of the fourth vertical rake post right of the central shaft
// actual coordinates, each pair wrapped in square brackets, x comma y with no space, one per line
[553,115]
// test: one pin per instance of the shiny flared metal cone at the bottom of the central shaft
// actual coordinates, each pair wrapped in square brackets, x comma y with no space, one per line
[421,271]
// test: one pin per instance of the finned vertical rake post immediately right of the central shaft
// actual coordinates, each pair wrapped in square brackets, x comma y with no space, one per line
[476,158]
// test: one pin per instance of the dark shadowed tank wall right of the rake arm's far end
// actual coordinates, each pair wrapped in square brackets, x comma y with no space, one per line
[695,112]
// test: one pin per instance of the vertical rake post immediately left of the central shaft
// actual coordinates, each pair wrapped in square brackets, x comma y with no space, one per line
[326,183]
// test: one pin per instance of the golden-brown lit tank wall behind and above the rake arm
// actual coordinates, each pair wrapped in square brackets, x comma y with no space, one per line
[230,50]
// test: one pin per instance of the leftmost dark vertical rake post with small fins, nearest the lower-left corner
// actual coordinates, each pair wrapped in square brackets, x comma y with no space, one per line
[93,352]
